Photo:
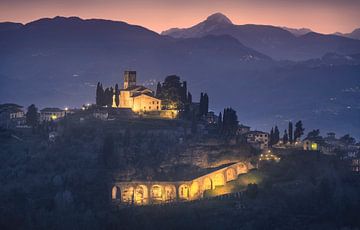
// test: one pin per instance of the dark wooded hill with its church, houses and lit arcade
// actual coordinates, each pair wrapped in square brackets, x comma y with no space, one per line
[139,147]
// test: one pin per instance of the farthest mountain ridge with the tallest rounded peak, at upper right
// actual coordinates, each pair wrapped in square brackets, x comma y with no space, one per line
[273,41]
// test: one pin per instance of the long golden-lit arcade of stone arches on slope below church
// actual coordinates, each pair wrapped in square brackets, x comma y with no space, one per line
[157,192]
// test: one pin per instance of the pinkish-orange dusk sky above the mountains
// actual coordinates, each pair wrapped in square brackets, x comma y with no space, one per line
[324,16]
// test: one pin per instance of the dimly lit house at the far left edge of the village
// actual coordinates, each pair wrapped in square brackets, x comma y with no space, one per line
[11,115]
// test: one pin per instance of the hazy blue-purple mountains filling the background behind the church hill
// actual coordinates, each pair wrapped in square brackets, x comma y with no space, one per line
[58,61]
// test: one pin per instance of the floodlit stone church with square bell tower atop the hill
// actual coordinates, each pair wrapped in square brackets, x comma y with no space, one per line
[136,97]
